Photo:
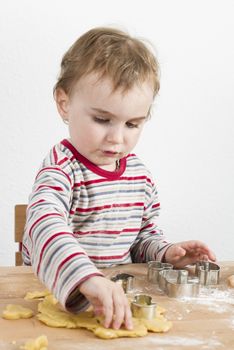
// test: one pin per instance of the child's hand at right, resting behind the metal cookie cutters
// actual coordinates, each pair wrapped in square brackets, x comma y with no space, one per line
[187,253]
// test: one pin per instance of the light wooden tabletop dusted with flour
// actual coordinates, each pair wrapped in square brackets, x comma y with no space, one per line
[200,323]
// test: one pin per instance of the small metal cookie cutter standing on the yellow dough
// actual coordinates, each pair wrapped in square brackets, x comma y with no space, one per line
[143,307]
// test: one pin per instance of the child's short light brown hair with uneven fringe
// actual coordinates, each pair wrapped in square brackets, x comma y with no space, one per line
[109,53]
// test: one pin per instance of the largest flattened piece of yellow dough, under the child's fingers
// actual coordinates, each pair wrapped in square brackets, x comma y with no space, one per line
[51,314]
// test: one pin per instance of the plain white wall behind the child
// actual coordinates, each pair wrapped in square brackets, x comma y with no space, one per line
[189,142]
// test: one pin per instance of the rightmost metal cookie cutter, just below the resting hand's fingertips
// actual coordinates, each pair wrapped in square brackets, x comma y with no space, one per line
[207,272]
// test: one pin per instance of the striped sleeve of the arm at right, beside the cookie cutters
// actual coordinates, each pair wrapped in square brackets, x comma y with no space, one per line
[150,243]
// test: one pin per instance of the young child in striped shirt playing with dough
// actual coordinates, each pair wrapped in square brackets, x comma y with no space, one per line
[94,204]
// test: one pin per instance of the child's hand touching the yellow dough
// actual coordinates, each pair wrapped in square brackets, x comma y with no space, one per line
[108,299]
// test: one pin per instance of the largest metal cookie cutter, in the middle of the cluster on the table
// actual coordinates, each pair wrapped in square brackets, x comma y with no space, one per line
[178,284]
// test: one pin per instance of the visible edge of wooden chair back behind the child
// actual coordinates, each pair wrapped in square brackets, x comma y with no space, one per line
[20,219]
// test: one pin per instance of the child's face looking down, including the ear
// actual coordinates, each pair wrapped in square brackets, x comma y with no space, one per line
[104,125]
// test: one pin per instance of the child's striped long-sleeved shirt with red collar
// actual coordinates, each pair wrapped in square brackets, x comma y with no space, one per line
[81,218]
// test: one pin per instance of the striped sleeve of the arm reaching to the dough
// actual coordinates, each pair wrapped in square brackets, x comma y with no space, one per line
[49,245]
